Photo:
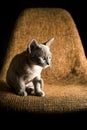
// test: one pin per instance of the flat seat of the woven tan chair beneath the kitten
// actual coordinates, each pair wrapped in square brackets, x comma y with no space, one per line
[59,98]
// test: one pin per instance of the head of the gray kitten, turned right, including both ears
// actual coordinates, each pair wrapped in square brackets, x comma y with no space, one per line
[40,53]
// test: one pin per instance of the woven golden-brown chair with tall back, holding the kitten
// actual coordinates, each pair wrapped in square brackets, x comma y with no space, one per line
[66,81]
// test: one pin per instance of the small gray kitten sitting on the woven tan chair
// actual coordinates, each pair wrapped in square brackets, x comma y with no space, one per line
[24,72]
